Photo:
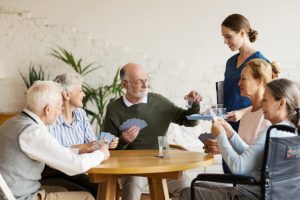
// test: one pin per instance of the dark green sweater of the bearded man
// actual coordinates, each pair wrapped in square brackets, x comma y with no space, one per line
[158,113]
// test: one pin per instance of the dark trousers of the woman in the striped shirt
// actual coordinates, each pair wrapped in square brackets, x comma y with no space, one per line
[80,182]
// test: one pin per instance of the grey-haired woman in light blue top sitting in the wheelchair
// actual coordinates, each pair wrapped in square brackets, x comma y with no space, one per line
[280,105]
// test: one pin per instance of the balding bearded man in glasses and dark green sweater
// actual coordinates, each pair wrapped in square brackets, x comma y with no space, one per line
[157,112]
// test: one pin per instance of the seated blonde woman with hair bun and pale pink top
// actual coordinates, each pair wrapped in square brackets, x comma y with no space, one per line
[254,77]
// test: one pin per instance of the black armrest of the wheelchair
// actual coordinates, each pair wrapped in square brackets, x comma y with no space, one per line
[226,178]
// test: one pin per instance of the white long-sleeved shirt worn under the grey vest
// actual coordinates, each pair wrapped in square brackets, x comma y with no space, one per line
[38,144]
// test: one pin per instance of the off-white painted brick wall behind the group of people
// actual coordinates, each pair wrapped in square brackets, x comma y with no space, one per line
[179,41]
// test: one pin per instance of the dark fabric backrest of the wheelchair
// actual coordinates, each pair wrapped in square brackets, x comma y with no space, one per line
[281,166]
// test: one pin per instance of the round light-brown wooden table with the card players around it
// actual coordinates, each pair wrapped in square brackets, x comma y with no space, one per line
[145,163]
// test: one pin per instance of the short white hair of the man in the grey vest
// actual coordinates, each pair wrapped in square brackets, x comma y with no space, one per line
[41,94]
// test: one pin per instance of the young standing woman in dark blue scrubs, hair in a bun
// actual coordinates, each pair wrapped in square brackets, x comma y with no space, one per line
[238,35]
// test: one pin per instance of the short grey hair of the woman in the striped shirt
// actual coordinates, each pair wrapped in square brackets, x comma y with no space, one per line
[69,80]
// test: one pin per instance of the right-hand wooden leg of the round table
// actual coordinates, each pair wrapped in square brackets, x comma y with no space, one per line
[158,189]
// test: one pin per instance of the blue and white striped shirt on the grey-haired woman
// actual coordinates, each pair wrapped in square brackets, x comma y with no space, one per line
[79,132]
